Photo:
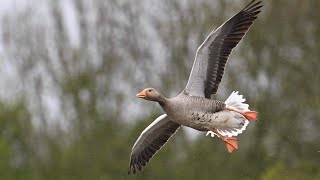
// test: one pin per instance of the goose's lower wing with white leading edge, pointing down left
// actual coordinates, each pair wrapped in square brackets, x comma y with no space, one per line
[150,141]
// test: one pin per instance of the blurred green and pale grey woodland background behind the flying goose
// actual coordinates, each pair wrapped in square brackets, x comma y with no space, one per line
[70,69]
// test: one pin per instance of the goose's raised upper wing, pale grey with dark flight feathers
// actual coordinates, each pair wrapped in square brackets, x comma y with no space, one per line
[213,53]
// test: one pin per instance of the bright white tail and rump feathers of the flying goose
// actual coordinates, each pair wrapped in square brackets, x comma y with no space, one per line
[235,100]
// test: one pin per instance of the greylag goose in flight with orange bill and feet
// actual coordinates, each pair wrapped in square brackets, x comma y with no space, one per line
[193,107]
